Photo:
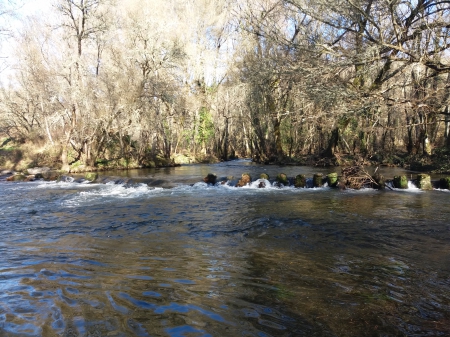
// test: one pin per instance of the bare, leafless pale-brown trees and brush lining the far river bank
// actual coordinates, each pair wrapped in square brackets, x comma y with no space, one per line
[125,83]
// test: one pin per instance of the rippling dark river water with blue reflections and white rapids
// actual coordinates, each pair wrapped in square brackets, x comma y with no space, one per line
[168,255]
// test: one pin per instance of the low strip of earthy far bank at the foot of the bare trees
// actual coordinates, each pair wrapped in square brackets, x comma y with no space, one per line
[20,157]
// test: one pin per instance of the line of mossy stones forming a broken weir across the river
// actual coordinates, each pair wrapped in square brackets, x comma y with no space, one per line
[354,177]
